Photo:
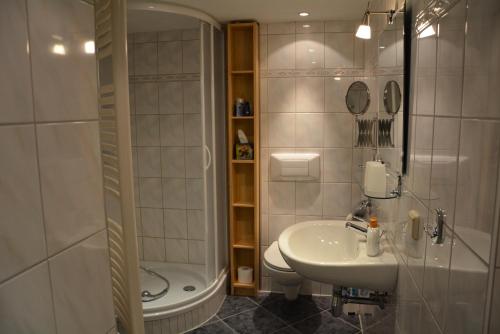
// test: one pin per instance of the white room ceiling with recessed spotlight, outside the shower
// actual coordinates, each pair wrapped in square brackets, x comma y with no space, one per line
[265,11]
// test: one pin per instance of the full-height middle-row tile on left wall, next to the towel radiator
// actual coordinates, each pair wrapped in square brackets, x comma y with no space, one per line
[72,194]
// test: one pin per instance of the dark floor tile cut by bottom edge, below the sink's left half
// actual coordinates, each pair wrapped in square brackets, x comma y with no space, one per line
[324,323]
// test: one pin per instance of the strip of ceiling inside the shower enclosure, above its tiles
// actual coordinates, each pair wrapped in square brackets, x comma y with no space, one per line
[144,21]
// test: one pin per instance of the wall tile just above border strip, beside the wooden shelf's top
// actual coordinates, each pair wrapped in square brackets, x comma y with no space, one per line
[281,51]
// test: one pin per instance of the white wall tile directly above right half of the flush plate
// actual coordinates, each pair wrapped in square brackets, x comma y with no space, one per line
[308,130]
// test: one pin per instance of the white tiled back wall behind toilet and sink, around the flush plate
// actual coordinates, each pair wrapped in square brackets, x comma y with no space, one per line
[305,74]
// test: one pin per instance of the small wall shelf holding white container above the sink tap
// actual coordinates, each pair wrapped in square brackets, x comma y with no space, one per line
[379,181]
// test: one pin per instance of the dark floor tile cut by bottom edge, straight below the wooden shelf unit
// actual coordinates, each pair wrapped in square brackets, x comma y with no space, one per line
[255,321]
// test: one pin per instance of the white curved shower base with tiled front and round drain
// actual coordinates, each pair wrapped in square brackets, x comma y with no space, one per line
[179,310]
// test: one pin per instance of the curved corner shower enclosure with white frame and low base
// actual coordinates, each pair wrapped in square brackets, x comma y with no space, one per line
[176,90]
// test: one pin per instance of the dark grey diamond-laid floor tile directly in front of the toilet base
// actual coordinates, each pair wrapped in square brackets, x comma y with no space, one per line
[293,311]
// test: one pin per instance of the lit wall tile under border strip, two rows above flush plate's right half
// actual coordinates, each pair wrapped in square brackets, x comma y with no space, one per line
[310,95]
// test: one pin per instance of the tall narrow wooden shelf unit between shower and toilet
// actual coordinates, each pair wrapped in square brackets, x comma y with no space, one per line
[244,216]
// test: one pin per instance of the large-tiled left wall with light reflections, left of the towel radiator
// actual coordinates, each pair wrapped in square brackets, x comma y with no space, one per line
[53,248]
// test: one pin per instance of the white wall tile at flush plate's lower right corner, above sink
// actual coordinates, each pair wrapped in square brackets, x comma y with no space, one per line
[336,199]
